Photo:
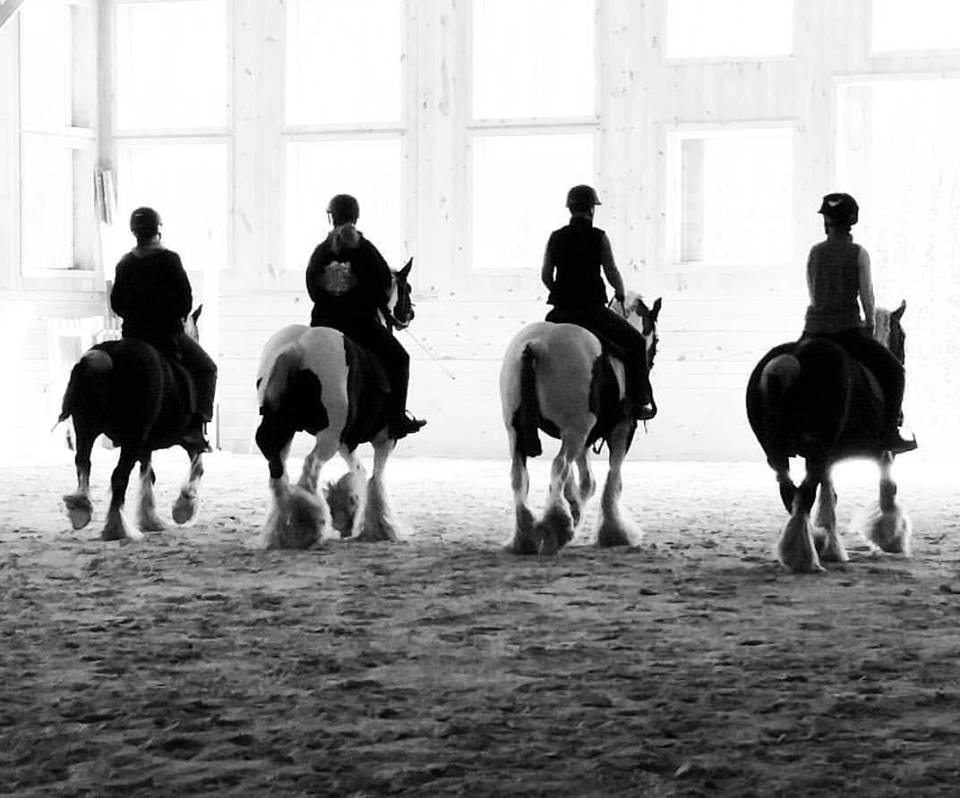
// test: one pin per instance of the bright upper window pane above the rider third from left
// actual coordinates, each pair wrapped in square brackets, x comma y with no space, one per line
[533,59]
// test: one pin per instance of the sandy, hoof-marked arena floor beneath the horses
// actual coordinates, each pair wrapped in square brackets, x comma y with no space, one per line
[693,665]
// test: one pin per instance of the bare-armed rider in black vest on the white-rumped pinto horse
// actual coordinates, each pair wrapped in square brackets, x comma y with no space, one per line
[572,264]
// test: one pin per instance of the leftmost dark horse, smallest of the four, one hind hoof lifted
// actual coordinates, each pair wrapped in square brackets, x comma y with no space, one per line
[142,401]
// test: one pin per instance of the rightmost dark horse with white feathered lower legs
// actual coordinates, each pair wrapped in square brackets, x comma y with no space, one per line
[812,399]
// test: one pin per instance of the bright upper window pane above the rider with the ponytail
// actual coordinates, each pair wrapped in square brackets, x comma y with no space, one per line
[344,61]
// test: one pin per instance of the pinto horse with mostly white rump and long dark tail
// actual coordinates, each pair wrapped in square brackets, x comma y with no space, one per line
[558,378]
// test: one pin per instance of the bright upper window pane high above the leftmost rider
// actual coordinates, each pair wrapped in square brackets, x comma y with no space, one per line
[171,64]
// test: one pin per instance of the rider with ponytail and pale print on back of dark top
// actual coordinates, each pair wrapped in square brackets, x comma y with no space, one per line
[349,283]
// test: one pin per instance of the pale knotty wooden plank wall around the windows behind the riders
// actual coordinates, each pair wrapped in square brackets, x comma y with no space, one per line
[715,322]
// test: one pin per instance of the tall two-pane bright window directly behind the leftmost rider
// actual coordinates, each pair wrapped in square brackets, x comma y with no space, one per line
[172,134]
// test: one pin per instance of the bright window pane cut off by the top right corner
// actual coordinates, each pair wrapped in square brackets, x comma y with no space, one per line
[916,25]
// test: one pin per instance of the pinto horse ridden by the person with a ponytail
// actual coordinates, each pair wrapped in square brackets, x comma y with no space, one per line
[315,379]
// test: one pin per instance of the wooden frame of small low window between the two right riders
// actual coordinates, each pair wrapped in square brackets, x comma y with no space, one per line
[673,195]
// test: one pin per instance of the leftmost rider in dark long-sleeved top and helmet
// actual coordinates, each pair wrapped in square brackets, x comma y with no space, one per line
[151,293]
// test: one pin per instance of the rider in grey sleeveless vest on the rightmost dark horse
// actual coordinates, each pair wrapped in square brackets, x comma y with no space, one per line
[838,274]
